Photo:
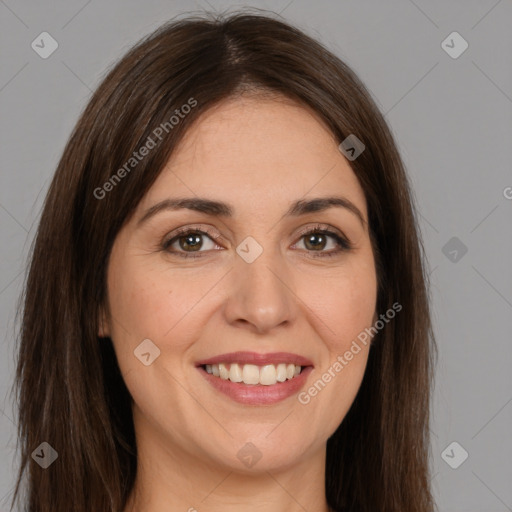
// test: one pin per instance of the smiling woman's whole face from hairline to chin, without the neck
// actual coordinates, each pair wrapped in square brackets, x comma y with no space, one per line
[255,293]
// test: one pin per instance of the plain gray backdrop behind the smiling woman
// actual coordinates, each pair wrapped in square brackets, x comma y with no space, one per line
[452,119]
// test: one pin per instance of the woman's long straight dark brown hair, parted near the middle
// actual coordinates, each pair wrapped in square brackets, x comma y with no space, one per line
[69,390]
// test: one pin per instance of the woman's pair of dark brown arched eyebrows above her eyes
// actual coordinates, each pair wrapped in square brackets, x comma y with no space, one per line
[220,209]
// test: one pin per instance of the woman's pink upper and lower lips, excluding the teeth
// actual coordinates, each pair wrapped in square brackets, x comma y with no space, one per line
[257,394]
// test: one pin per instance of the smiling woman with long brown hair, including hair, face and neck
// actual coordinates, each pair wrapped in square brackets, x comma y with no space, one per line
[227,306]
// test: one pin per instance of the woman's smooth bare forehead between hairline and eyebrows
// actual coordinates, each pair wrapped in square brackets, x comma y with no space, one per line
[252,151]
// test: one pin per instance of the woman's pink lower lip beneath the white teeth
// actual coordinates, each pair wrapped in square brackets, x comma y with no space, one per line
[258,394]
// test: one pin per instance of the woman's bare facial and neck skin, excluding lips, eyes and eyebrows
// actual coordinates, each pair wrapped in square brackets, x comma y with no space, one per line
[259,155]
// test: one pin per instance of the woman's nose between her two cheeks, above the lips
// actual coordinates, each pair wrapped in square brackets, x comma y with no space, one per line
[261,294]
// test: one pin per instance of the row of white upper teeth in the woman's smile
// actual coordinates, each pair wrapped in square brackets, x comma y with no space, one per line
[267,375]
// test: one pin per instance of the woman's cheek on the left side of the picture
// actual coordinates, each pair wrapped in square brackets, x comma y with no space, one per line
[147,302]
